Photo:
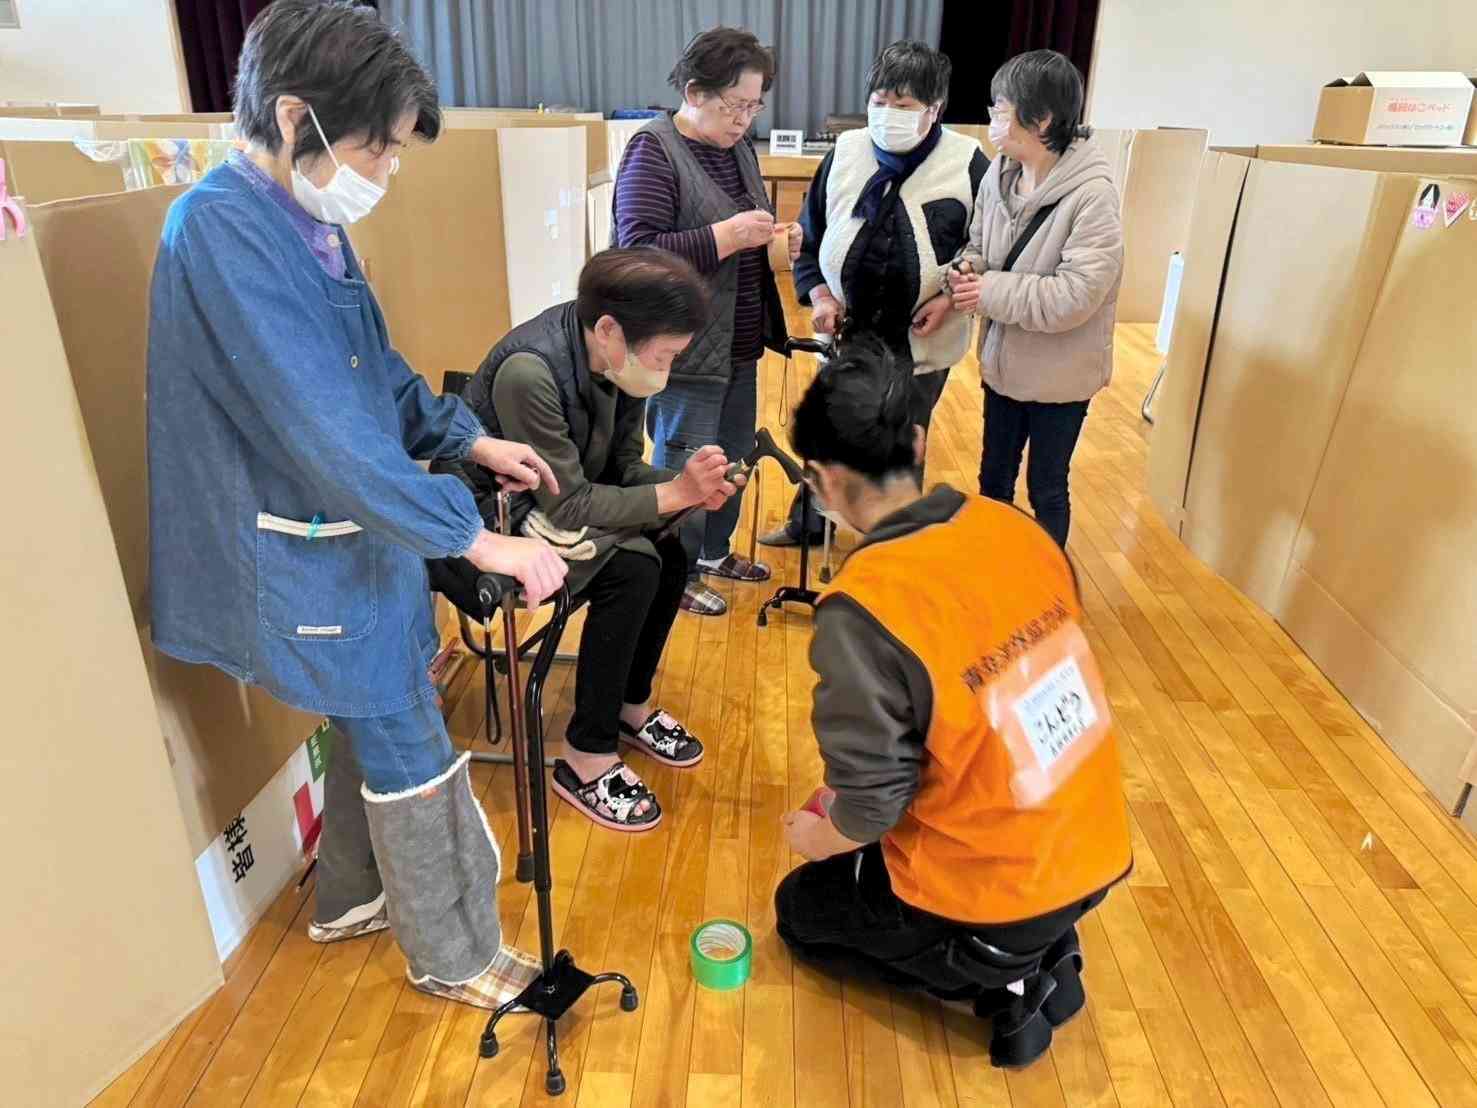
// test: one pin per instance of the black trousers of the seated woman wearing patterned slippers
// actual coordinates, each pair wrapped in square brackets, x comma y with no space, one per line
[633,603]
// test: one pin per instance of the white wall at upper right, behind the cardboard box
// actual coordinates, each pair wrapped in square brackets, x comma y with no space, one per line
[1252,72]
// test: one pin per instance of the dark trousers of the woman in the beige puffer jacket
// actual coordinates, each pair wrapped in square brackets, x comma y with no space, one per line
[1052,429]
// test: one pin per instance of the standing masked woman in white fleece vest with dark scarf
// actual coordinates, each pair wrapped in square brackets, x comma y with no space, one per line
[887,212]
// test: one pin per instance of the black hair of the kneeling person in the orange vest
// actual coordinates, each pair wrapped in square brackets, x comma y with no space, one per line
[859,413]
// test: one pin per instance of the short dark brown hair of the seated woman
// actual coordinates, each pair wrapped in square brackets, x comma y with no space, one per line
[646,290]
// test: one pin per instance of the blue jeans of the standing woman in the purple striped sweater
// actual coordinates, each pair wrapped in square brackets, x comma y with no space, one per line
[696,413]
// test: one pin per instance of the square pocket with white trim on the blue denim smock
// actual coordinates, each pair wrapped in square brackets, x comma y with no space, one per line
[317,583]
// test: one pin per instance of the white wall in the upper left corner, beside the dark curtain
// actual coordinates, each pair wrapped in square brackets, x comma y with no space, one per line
[119,54]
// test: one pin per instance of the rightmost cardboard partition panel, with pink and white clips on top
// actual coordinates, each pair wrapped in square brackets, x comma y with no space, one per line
[1382,592]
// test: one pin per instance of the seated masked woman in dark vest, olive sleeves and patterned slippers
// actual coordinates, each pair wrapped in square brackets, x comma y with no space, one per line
[572,383]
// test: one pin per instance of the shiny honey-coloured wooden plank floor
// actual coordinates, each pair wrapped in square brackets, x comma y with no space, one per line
[1300,927]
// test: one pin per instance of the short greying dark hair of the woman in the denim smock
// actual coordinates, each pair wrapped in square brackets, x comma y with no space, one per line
[340,58]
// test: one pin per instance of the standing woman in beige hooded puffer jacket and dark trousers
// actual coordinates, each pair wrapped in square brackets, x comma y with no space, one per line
[1048,324]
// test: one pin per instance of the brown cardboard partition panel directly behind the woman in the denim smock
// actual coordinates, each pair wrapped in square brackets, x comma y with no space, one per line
[225,741]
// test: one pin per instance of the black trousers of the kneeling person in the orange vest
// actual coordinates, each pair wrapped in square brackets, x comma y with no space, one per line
[844,915]
